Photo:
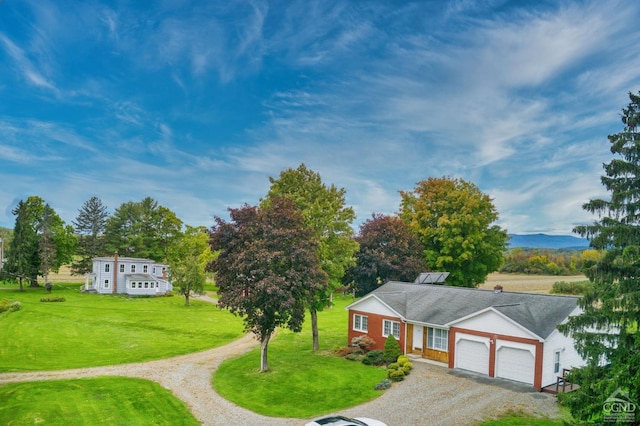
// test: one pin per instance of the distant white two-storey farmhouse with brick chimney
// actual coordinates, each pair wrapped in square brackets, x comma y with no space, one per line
[127,275]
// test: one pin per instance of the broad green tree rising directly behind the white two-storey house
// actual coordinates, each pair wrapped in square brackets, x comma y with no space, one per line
[142,229]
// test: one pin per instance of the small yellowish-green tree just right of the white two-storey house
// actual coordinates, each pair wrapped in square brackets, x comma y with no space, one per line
[188,259]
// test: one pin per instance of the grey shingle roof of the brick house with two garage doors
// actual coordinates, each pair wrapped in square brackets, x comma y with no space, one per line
[441,305]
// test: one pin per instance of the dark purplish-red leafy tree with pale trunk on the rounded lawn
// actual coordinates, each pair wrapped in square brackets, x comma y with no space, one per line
[267,265]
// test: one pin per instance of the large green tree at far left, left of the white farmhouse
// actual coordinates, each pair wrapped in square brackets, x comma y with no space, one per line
[42,242]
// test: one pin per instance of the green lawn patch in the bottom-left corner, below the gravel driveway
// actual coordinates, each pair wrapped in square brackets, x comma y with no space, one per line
[103,400]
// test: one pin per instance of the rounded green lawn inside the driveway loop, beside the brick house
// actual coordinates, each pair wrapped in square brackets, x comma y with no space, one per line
[301,383]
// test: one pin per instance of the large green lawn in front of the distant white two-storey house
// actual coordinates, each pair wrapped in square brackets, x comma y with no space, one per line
[90,330]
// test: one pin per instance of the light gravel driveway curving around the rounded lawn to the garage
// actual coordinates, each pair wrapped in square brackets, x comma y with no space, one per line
[431,394]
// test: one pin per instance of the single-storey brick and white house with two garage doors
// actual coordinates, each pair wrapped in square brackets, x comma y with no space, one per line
[494,333]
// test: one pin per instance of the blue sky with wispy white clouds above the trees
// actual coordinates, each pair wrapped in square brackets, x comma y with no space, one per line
[197,103]
